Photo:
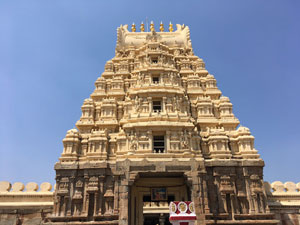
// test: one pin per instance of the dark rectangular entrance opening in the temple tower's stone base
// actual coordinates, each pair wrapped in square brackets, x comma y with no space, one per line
[150,198]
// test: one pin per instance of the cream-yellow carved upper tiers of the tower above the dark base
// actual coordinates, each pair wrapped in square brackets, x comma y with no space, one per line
[119,119]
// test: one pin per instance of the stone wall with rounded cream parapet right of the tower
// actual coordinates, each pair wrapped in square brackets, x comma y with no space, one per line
[284,201]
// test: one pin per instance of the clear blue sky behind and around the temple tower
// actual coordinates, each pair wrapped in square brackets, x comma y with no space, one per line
[51,53]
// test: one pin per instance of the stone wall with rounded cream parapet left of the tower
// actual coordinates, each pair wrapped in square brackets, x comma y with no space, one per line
[25,205]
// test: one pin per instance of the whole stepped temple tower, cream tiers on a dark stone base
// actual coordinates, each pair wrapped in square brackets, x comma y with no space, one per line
[157,129]
